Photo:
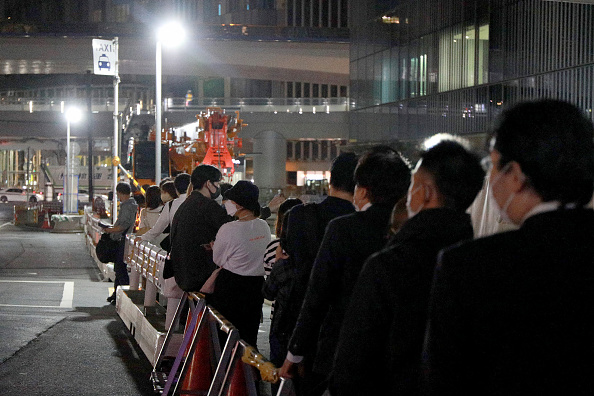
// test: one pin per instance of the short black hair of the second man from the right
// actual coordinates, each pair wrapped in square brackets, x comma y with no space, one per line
[457,173]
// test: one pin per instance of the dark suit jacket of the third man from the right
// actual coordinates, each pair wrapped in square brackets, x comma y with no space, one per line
[347,243]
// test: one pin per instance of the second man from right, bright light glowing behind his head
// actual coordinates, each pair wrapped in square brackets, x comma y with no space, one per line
[385,321]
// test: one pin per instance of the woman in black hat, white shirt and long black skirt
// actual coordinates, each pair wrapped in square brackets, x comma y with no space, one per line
[238,249]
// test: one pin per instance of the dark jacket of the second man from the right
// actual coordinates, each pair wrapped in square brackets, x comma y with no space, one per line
[383,329]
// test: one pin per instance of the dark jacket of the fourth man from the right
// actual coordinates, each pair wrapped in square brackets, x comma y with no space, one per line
[302,236]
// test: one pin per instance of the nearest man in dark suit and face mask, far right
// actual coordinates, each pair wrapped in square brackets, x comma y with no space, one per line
[512,314]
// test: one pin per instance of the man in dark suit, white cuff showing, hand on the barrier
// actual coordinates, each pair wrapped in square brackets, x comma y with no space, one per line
[382,178]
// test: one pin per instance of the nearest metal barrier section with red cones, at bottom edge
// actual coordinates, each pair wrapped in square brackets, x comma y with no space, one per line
[202,367]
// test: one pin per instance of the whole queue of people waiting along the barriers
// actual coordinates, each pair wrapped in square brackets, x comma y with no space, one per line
[385,287]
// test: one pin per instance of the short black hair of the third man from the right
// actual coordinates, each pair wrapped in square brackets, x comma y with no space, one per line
[385,174]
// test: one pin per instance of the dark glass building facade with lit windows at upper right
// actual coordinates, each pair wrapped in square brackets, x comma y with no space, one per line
[429,66]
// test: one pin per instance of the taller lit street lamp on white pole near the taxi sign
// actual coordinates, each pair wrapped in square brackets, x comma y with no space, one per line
[172,34]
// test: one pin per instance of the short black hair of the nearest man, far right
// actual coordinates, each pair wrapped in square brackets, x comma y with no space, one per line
[552,142]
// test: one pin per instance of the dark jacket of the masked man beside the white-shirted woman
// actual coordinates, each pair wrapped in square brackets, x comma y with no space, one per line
[195,223]
